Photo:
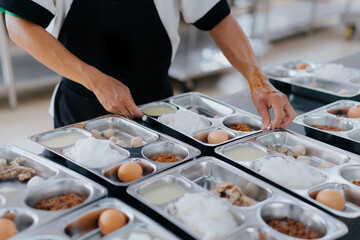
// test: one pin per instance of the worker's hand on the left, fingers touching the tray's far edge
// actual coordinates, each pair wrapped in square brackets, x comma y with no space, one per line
[116,98]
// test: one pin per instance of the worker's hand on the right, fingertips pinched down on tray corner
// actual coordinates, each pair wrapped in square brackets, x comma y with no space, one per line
[266,96]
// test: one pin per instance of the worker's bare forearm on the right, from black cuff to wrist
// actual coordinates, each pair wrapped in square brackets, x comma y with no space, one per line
[237,49]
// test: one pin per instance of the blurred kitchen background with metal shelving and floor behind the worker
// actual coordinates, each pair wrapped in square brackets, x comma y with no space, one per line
[280,30]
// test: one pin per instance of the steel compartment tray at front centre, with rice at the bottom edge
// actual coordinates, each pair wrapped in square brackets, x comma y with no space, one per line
[204,215]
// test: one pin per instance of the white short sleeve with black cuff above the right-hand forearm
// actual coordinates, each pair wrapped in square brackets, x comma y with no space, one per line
[204,14]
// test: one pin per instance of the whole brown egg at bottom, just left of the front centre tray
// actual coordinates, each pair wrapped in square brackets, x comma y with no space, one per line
[111,220]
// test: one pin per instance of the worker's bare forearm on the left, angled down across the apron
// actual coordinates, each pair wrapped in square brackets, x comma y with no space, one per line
[49,51]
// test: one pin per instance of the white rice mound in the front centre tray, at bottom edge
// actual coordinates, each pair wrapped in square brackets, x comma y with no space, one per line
[206,216]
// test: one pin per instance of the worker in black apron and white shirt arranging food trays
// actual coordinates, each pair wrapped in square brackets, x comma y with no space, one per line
[115,54]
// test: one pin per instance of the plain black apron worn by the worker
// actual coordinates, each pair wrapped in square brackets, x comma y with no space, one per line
[124,39]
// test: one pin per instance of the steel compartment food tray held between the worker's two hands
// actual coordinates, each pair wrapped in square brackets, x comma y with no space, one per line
[193,116]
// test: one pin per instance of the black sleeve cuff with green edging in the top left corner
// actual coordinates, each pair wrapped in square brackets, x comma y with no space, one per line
[40,12]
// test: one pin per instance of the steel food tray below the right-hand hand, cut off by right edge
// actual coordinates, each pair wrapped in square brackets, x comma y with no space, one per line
[328,167]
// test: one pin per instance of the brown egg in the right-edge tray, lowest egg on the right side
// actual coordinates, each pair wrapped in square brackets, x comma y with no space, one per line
[331,198]
